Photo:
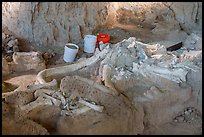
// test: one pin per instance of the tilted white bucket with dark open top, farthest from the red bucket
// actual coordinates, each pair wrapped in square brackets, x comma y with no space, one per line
[70,51]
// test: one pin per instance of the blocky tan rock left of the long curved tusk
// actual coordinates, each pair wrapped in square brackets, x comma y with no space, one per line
[25,61]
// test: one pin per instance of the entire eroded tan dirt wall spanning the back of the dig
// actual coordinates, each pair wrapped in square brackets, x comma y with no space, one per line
[46,25]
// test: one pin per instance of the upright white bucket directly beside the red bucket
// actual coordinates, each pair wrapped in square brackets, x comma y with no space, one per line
[90,43]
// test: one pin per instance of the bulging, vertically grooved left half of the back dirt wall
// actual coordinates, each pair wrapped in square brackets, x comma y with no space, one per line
[73,20]
